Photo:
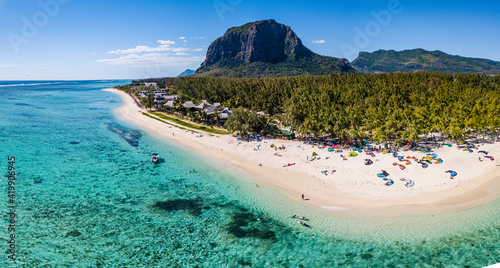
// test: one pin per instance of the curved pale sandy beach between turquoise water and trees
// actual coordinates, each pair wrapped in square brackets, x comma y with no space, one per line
[350,190]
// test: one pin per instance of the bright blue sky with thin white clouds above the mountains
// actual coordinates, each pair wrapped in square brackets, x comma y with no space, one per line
[128,39]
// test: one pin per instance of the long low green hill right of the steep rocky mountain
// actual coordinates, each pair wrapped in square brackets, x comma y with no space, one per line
[415,60]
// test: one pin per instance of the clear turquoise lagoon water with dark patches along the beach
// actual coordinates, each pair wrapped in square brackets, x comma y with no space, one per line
[88,196]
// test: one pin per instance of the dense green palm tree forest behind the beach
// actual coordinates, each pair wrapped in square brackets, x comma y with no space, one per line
[397,107]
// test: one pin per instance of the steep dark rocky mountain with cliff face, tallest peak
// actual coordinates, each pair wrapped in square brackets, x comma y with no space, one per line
[265,48]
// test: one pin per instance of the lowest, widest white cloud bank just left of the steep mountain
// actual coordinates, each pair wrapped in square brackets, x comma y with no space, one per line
[153,60]
